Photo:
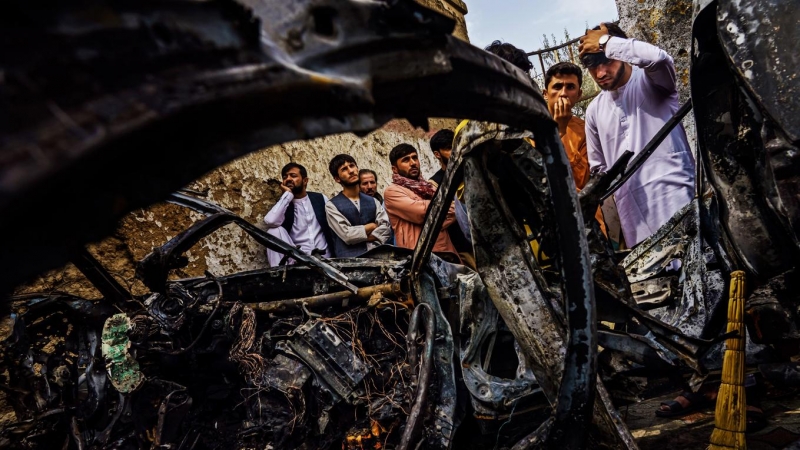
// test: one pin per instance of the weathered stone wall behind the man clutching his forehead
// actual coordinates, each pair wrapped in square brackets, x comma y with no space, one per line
[667,24]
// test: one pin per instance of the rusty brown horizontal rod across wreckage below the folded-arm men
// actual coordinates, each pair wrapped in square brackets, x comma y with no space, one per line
[394,289]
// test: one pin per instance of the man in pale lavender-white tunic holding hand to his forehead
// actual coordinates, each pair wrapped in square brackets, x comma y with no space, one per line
[639,94]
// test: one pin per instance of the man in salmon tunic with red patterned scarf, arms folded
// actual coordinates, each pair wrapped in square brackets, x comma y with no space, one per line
[407,199]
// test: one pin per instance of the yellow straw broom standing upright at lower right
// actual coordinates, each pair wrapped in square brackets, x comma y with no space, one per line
[730,417]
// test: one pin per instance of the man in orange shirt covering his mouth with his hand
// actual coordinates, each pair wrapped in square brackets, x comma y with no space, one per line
[562,91]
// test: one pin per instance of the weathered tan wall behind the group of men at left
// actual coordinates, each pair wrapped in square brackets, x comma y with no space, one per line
[248,187]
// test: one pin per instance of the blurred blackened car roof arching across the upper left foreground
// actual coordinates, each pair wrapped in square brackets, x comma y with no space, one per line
[200,85]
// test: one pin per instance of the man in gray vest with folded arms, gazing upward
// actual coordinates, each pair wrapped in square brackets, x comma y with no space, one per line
[357,221]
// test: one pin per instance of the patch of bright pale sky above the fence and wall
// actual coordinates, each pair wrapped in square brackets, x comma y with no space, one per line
[522,22]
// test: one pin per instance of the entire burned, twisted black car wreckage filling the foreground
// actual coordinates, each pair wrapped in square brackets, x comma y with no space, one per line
[394,349]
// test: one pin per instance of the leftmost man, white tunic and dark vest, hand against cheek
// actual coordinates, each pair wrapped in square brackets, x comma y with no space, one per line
[299,216]
